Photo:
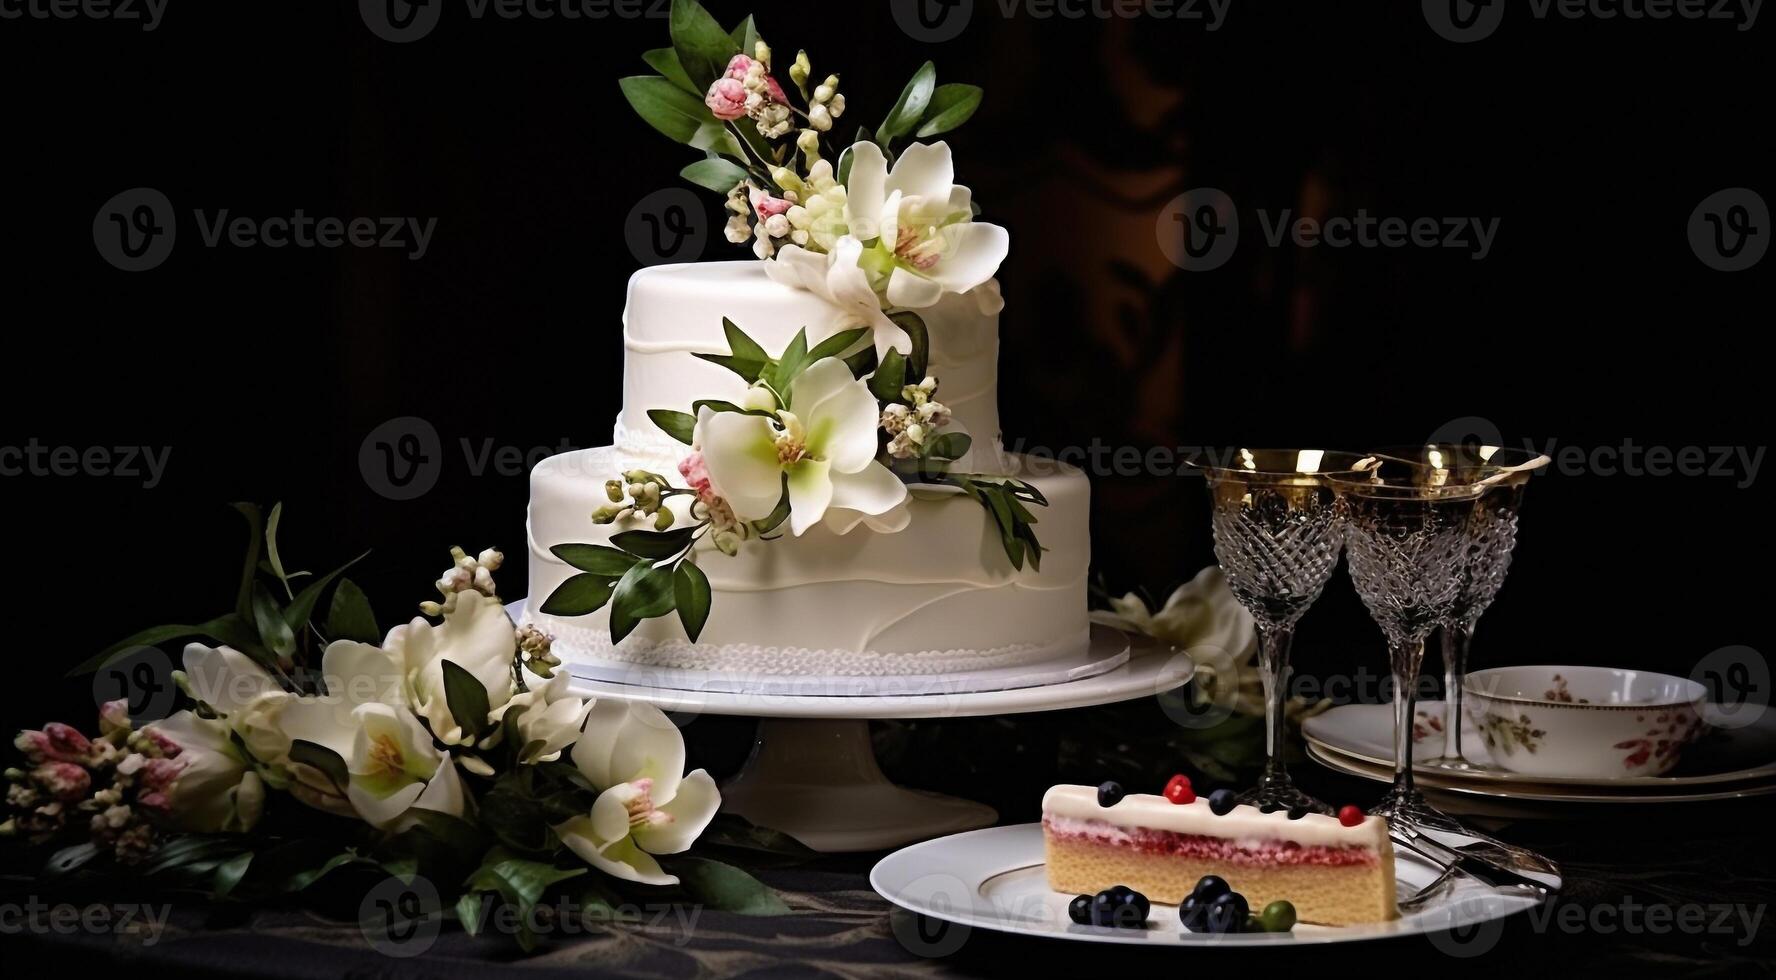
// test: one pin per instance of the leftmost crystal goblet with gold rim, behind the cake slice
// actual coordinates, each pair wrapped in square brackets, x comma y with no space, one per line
[1278,541]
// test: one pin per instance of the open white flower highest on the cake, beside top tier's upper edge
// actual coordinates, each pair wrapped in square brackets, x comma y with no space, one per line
[919,226]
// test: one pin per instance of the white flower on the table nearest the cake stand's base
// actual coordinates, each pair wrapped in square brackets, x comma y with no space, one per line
[635,757]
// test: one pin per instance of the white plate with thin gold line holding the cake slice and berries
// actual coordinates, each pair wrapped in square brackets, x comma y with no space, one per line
[995,880]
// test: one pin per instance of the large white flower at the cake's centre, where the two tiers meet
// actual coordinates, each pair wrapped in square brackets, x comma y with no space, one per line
[823,443]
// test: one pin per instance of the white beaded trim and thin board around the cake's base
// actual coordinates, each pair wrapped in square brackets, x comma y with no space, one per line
[587,644]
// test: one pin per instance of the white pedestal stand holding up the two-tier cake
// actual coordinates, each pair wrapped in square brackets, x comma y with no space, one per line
[813,773]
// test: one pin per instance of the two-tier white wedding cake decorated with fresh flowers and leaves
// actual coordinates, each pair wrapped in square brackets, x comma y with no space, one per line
[807,477]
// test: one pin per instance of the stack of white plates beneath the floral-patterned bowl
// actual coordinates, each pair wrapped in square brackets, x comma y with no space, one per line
[1731,761]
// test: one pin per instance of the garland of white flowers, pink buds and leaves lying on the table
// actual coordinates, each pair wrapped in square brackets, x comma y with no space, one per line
[448,750]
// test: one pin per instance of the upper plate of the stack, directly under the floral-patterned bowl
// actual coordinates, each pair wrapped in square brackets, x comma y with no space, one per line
[1367,734]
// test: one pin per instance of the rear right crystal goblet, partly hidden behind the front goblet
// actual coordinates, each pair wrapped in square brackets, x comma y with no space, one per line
[1487,562]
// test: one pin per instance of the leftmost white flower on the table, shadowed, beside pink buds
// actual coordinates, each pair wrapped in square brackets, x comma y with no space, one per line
[214,789]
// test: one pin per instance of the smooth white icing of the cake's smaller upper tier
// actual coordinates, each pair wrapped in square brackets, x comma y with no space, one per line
[678,310]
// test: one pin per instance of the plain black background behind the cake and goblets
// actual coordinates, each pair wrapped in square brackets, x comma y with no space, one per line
[1592,324]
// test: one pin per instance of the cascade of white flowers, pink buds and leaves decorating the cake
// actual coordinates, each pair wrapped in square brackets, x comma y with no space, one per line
[829,434]
